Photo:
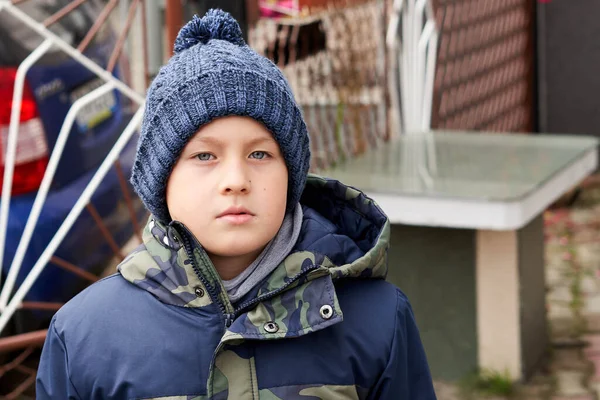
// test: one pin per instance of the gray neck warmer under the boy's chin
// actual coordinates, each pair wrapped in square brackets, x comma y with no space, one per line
[273,254]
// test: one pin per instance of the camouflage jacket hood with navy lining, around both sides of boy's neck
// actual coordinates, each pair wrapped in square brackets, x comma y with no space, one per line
[344,235]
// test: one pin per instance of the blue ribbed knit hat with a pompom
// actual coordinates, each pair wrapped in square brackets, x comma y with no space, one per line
[214,74]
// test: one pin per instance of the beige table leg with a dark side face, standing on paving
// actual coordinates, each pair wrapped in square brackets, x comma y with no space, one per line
[510,292]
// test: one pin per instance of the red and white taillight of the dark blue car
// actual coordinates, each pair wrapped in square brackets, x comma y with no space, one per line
[32,149]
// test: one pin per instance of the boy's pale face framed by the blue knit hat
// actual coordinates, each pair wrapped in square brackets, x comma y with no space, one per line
[229,187]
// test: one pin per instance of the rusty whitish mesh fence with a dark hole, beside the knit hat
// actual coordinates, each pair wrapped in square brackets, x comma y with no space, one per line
[335,65]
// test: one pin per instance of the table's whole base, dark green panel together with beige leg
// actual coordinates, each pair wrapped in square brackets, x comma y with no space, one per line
[478,296]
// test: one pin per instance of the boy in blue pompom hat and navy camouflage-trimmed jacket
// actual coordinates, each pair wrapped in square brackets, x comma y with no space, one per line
[254,281]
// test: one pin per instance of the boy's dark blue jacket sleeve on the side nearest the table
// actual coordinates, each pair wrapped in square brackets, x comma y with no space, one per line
[406,376]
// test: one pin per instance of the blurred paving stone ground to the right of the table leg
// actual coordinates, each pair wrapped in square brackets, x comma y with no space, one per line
[572,371]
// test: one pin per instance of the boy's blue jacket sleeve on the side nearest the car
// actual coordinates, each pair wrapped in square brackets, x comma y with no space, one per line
[53,378]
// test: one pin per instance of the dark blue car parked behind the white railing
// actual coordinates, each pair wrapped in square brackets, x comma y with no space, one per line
[52,86]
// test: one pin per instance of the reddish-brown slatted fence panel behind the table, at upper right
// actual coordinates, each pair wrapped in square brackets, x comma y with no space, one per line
[484,76]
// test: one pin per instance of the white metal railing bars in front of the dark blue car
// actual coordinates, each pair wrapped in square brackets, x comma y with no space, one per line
[8,305]
